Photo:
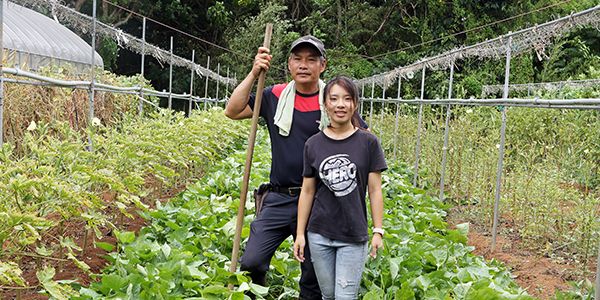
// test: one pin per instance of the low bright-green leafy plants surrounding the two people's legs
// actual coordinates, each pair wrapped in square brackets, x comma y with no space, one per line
[185,252]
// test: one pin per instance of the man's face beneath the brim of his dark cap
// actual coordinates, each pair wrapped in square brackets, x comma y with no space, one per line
[305,64]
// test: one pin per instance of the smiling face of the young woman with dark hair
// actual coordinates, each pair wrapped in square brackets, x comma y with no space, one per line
[339,105]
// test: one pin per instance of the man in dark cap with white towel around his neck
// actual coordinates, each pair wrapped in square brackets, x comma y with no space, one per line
[277,219]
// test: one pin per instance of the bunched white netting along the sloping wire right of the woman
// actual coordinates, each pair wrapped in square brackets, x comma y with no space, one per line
[537,38]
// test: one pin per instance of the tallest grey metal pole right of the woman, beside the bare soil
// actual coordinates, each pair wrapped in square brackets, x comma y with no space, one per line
[501,154]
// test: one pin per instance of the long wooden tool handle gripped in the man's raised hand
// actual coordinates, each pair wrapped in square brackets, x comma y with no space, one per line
[249,153]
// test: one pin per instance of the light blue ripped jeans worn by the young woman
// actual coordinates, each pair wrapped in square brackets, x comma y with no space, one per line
[338,265]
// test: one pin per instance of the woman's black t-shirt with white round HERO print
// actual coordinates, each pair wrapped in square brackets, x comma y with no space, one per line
[341,169]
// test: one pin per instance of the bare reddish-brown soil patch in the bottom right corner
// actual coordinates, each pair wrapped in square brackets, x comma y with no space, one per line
[540,275]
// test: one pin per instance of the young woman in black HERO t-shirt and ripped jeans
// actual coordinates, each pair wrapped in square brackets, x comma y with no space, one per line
[339,163]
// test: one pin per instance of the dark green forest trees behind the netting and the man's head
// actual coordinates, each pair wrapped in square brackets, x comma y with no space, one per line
[362,38]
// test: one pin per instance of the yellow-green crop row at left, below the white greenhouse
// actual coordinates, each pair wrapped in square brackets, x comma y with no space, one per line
[55,181]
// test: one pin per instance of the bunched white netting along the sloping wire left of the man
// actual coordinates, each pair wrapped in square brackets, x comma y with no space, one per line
[84,24]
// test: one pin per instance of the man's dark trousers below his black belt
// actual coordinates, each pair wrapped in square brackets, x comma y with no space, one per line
[275,223]
